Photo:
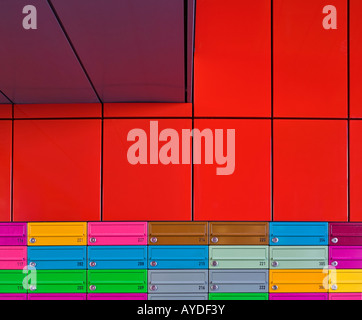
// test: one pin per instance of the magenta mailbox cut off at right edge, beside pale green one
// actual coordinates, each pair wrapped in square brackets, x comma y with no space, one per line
[344,257]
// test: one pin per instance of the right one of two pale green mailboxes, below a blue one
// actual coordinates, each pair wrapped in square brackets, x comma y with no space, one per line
[297,257]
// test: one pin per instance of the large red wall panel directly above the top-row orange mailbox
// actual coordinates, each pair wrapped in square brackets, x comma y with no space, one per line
[57,170]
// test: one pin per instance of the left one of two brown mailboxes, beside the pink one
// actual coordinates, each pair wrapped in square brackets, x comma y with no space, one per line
[177,233]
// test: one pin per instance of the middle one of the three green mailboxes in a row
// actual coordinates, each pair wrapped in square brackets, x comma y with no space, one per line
[57,281]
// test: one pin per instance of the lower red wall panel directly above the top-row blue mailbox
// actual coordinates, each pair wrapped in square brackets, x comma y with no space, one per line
[310,170]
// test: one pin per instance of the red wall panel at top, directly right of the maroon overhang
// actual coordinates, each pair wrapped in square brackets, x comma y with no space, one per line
[233,58]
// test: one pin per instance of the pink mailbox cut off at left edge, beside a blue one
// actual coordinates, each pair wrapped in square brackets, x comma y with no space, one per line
[13,257]
